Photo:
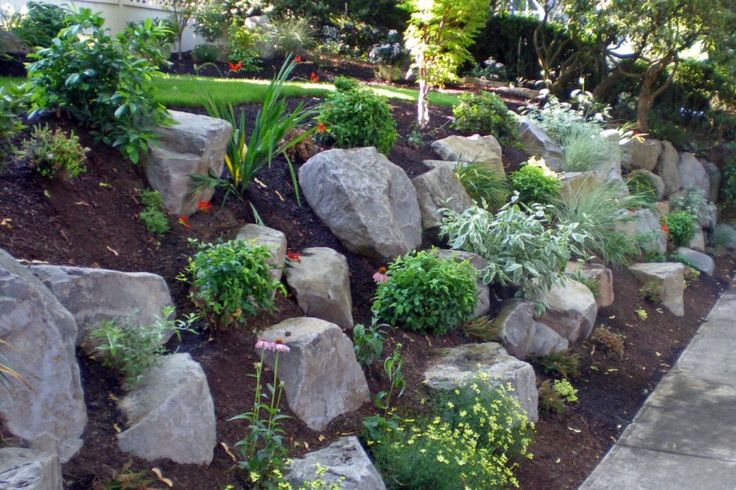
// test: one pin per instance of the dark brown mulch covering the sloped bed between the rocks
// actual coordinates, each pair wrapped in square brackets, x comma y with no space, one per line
[92,221]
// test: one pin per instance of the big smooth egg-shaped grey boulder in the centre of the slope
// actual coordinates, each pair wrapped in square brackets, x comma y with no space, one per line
[367,202]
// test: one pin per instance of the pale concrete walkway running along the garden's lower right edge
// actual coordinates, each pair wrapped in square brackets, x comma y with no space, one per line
[684,437]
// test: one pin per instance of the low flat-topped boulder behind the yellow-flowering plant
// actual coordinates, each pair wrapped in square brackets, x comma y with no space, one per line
[456,366]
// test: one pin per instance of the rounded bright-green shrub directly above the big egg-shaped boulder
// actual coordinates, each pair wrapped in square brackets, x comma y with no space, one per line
[358,117]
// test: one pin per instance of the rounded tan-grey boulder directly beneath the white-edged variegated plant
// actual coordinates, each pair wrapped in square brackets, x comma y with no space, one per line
[571,310]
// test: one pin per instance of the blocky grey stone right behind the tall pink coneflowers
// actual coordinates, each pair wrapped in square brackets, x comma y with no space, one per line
[322,378]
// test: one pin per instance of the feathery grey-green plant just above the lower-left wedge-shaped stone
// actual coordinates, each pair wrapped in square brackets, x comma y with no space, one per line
[133,349]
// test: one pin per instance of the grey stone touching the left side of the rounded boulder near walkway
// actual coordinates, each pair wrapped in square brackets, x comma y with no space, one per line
[522,336]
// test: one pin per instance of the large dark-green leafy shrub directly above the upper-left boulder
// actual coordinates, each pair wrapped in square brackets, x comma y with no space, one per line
[99,82]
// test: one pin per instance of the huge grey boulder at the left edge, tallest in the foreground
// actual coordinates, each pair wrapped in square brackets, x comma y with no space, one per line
[39,336]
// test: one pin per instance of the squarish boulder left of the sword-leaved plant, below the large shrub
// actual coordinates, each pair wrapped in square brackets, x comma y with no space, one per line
[192,145]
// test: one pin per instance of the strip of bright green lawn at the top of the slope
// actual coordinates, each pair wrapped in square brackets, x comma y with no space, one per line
[192,91]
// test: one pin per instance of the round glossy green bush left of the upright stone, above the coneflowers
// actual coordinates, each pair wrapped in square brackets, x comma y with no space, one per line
[232,281]
